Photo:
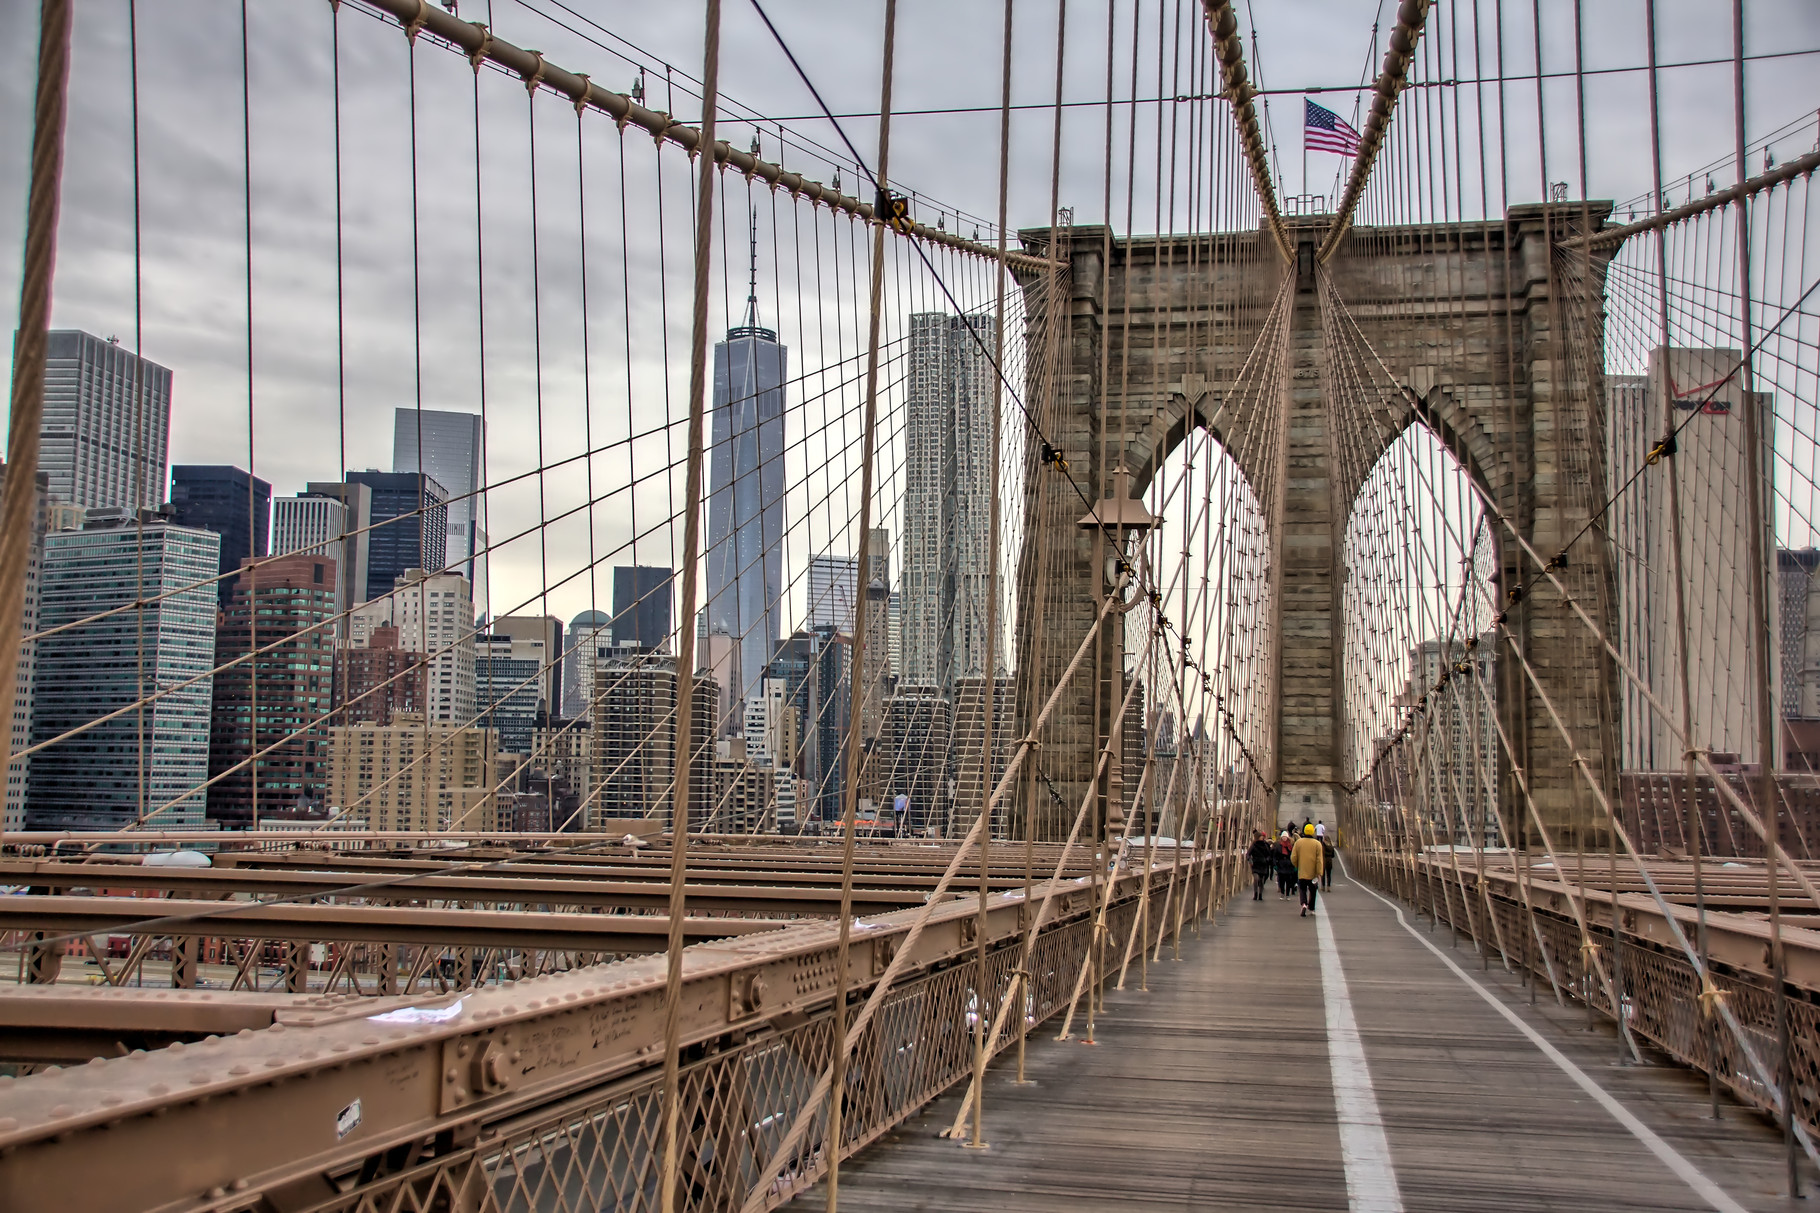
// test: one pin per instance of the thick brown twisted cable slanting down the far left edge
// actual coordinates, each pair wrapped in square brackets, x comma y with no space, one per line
[34,338]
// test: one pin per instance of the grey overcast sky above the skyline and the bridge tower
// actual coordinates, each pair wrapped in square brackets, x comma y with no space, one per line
[323,391]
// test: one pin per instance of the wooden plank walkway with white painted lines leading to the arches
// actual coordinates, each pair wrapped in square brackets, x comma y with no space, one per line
[1215,1092]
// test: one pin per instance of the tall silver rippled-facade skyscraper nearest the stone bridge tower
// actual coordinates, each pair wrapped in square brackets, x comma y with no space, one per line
[947,542]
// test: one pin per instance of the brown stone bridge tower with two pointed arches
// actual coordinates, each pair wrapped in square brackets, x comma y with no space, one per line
[1468,320]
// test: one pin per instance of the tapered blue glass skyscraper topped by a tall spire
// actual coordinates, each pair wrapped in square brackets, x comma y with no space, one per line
[747,496]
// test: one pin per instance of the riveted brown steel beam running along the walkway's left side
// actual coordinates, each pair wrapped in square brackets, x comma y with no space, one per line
[338,1088]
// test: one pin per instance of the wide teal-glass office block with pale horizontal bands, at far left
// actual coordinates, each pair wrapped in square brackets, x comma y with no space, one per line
[106,775]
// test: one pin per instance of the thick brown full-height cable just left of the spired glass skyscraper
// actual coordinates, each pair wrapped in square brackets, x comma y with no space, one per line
[685,680]
